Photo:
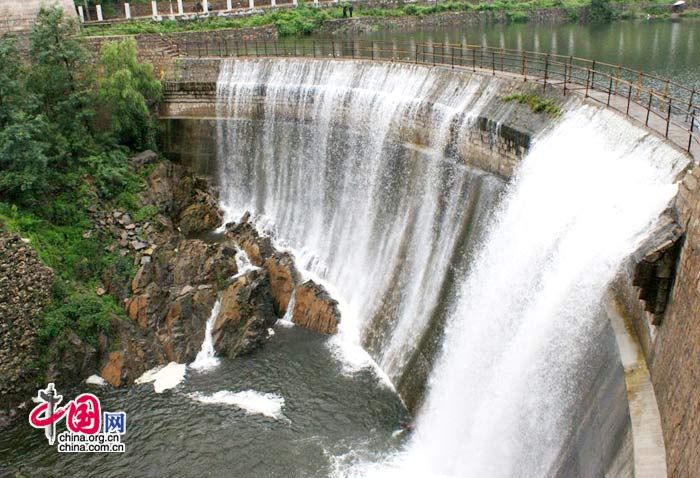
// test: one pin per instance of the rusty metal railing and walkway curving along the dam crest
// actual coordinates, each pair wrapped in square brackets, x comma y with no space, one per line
[662,105]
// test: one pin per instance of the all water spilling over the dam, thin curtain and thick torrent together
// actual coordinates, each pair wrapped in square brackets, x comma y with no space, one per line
[411,238]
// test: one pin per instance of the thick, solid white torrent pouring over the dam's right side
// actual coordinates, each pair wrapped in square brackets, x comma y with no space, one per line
[503,390]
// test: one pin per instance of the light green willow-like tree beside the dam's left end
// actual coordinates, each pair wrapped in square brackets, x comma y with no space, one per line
[129,91]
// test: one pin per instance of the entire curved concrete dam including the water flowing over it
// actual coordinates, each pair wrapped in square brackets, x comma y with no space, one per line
[514,356]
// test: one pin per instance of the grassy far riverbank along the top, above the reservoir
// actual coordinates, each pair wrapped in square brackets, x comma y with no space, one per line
[328,18]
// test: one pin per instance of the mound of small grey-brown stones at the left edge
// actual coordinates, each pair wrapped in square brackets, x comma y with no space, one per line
[25,285]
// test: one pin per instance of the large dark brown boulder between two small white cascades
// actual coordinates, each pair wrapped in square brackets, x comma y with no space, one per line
[246,315]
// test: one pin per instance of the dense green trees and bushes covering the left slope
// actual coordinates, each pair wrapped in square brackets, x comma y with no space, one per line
[66,130]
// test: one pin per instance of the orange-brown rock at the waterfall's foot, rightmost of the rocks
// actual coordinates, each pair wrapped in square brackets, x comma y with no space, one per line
[315,309]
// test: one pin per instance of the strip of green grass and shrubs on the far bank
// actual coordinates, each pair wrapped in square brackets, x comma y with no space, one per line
[304,20]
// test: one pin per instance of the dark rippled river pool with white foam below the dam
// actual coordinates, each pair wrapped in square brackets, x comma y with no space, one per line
[289,406]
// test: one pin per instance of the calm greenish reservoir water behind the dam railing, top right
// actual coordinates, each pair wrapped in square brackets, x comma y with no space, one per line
[662,47]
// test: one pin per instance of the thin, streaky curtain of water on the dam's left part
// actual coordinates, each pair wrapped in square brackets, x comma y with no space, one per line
[378,216]
